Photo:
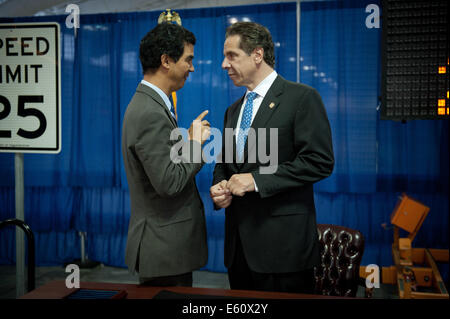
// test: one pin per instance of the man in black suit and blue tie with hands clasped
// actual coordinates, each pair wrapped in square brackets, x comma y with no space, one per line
[271,240]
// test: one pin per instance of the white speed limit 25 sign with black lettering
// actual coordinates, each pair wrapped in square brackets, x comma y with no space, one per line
[30,89]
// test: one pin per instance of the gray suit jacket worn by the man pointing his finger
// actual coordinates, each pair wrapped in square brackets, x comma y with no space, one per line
[167,231]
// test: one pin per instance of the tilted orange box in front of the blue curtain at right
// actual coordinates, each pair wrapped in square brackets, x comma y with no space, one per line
[409,214]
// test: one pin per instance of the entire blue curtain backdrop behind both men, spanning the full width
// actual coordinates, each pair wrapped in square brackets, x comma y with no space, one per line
[84,187]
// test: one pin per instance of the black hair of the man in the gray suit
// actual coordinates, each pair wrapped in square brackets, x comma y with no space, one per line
[165,38]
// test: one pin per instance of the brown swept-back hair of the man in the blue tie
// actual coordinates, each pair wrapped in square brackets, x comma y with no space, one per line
[253,35]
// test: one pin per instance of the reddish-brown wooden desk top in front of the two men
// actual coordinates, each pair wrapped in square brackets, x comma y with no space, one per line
[58,290]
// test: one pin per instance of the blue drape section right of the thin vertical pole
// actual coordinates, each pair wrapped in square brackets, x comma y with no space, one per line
[376,161]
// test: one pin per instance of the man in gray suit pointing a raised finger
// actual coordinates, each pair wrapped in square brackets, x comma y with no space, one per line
[167,232]
